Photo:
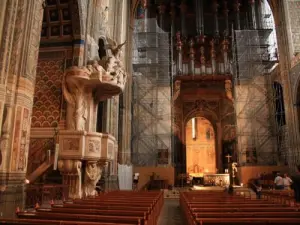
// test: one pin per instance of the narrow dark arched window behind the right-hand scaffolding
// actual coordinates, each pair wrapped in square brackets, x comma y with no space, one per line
[279,104]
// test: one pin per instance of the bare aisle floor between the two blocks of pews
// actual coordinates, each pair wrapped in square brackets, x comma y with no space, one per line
[171,213]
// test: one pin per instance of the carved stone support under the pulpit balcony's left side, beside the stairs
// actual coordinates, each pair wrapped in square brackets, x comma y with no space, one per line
[71,172]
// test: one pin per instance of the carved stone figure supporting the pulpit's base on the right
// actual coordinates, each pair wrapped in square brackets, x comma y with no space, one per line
[92,175]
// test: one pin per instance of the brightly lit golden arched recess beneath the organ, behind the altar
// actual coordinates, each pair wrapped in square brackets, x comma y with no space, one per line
[200,149]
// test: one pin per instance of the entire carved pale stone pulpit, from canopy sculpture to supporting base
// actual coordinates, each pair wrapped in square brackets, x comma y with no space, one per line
[83,152]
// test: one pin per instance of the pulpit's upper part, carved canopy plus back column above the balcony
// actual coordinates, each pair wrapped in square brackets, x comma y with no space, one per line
[83,87]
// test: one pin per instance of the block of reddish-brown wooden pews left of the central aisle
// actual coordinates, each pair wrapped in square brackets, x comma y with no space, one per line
[117,207]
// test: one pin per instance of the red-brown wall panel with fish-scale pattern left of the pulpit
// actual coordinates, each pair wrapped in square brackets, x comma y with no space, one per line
[48,93]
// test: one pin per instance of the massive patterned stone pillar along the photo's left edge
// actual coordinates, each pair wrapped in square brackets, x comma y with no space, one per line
[18,60]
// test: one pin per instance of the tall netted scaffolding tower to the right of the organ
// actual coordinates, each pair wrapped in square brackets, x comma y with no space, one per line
[259,107]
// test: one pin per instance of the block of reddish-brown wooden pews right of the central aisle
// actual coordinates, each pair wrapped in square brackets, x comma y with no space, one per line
[218,207]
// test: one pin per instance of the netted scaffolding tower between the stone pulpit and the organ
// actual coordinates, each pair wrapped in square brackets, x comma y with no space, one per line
[151,102]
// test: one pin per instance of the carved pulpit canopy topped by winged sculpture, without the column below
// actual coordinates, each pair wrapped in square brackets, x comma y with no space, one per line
[105,78]
